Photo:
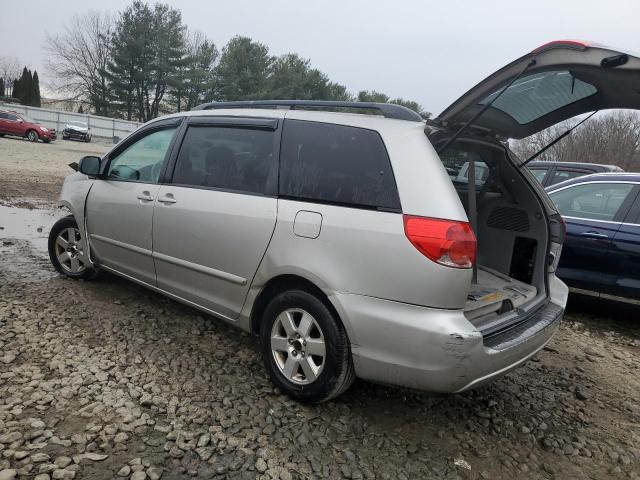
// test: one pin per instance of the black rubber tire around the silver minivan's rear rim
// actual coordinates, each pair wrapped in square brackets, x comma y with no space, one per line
[337,373]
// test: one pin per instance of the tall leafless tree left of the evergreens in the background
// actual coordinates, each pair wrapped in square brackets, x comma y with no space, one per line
[78,59]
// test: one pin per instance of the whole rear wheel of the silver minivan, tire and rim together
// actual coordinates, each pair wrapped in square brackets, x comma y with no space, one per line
[305,348]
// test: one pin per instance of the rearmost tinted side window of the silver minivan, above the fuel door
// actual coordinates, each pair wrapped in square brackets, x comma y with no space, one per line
[336,164]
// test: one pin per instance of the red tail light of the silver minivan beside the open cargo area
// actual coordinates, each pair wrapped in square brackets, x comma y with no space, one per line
[446,242]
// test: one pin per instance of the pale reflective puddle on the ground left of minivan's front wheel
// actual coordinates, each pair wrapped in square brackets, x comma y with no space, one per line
[18,223]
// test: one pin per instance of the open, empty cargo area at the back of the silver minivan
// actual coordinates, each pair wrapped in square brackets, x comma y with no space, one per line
[510,228]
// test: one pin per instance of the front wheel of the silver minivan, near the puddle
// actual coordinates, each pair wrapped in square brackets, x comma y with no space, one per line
[66,251]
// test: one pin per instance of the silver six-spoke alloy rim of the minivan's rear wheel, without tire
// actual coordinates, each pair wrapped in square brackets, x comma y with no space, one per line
[298,346]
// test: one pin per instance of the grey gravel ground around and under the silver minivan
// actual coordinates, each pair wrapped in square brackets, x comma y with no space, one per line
[105,379]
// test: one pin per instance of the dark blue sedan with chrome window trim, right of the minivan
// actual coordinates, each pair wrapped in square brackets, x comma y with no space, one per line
[601,253]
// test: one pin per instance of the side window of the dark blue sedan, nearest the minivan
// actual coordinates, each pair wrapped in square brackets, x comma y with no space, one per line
[594,201]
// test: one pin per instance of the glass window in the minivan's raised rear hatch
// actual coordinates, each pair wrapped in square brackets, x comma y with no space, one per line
[534,96]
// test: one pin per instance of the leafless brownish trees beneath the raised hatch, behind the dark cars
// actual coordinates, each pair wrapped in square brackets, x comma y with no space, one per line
[610,137]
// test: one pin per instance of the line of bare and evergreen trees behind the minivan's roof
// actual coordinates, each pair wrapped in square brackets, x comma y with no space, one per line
[144,62]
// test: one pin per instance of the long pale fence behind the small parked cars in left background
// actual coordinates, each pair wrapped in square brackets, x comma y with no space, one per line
[104,127]
